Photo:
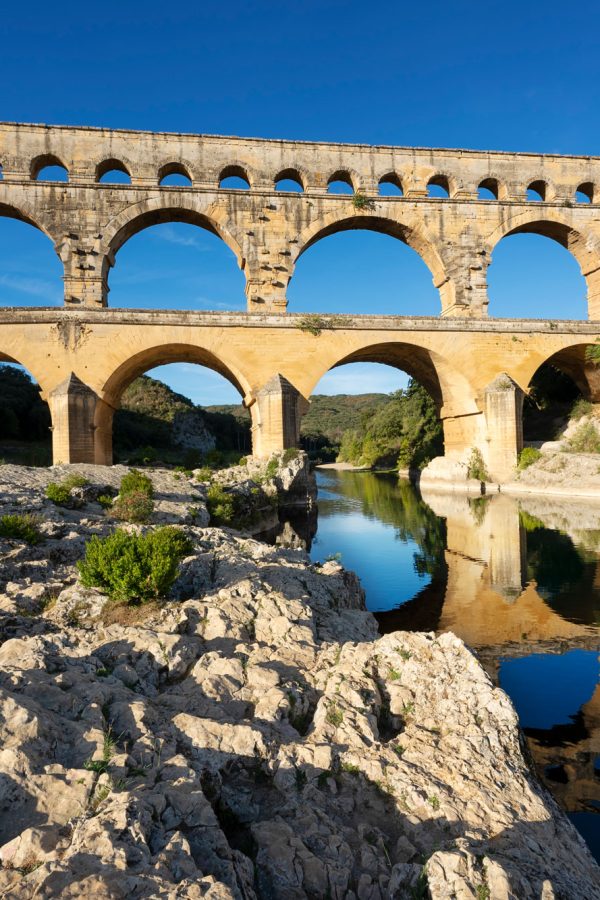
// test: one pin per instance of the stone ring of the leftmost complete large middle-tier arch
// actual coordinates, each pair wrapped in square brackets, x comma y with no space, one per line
[179,208]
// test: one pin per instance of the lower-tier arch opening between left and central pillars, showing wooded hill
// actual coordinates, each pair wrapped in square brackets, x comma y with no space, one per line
[173,405]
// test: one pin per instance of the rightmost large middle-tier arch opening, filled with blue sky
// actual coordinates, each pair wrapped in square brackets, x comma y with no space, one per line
[535,273]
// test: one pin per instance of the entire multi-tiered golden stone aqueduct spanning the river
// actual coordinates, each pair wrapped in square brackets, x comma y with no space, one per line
[476,368]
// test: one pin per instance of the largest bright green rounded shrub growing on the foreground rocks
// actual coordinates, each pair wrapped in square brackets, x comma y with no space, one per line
[135,568]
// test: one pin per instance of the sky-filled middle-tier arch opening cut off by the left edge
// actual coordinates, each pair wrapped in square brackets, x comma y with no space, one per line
[30,269]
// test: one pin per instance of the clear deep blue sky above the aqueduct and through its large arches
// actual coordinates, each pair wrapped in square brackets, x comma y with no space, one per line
[508,76]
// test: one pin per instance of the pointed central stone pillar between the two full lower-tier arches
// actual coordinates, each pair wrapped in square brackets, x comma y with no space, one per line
[276,422]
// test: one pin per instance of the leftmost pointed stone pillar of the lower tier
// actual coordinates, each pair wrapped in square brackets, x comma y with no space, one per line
[73,407]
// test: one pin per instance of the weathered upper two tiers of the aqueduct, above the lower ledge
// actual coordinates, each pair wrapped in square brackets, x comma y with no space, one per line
[89,219]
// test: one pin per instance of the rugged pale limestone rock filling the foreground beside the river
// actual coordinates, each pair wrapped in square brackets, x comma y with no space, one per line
[252,737]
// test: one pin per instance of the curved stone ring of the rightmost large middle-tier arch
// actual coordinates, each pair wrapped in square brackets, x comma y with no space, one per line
[583,245]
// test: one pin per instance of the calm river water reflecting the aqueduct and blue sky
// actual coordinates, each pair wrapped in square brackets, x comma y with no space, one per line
[517,580]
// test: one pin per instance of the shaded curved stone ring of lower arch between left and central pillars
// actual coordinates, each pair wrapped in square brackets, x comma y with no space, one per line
[148,358]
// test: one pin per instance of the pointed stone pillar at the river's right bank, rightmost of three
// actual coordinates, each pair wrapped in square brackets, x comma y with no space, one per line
[503,405]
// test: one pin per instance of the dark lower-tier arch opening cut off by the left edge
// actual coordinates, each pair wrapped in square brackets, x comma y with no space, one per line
[25,421]
